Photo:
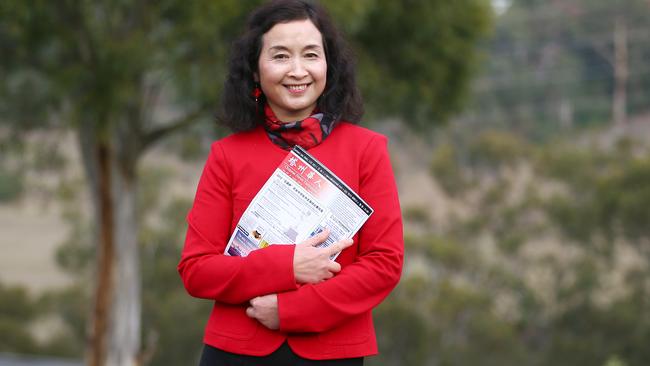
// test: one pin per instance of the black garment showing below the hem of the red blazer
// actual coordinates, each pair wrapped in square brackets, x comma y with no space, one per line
[283,356]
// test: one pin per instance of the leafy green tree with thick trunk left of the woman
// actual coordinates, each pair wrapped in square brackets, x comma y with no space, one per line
[123,75]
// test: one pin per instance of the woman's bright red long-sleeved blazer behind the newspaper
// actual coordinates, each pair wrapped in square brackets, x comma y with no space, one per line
[328,320]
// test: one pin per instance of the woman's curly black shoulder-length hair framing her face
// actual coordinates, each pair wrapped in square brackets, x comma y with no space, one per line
[341,98]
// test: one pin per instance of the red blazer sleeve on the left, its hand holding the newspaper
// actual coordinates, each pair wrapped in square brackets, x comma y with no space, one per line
[205,270]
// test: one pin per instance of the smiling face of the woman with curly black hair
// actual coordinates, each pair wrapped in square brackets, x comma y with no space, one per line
[292,69]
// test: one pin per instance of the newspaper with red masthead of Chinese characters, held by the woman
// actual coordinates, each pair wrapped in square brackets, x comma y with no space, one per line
[300,199]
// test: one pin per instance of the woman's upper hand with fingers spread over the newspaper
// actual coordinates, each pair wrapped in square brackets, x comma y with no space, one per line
[313,265]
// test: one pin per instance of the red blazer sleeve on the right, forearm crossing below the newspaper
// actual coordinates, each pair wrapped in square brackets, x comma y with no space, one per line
[363,284]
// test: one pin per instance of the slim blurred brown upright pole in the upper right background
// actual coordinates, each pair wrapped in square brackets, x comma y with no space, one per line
[620,72]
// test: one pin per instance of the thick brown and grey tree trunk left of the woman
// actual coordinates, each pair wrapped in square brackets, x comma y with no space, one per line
[114,332]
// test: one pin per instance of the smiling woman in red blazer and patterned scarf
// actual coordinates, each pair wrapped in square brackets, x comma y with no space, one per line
[291,82]
